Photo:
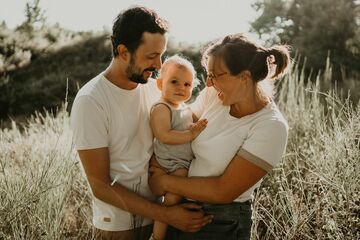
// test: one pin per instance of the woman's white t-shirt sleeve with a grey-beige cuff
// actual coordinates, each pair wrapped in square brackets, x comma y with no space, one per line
[265,144]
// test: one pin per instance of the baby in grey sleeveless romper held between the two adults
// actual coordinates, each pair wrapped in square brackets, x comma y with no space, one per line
[174,125]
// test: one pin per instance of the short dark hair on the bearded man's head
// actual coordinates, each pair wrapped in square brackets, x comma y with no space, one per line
[130,25]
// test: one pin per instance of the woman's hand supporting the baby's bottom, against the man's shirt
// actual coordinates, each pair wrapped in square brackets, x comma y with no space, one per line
[156,177]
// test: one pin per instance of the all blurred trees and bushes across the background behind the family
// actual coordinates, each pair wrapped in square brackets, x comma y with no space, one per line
[41,64]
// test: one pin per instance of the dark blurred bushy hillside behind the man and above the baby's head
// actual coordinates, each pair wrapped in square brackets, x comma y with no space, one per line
[40,64]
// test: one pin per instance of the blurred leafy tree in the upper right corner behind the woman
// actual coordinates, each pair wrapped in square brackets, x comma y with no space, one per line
[315,28]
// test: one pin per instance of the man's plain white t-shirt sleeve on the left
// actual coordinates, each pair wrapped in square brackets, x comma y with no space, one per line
[89,124]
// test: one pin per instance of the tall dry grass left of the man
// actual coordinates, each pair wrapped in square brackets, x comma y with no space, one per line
[42,192]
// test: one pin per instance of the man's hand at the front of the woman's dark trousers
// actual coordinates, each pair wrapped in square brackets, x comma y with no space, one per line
[187,217]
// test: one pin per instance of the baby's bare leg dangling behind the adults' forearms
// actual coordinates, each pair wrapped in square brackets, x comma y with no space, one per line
[170,199]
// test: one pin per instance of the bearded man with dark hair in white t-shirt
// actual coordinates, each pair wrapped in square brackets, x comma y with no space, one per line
[110,122]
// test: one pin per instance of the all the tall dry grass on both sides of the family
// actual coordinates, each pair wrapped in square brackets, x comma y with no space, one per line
[312,194]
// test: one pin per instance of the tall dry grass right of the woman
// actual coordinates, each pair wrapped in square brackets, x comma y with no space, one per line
[315,192]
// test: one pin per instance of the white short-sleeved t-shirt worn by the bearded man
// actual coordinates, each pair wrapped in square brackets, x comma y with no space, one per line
[104,115]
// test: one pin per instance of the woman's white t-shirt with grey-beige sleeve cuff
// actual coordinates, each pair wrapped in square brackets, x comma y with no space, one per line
[259,138]
